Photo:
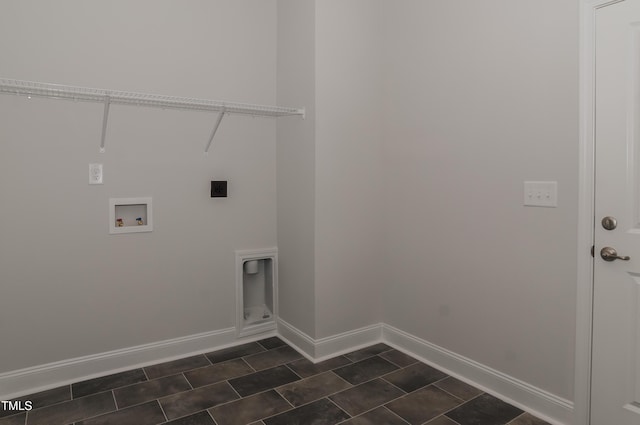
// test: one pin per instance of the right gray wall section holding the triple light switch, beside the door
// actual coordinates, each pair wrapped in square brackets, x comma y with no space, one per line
[481,96]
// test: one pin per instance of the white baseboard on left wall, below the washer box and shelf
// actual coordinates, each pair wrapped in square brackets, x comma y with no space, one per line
[39,378]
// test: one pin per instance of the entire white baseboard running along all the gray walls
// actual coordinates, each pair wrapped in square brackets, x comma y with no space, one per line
[543,404]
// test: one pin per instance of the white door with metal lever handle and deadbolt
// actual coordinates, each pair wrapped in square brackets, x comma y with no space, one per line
[616,309]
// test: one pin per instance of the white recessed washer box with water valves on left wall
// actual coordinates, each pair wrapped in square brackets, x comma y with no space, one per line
[130,215]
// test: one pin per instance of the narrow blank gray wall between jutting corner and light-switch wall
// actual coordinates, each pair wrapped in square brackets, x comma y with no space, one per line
[349,136]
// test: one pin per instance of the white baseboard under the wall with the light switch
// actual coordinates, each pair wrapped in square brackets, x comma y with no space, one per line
[542,404]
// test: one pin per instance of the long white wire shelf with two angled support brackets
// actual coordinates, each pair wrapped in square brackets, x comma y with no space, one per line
[110,97]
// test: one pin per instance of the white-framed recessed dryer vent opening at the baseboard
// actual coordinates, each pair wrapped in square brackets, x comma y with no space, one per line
[256,289]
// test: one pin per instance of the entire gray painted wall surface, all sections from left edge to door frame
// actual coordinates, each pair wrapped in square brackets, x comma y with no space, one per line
[399,199]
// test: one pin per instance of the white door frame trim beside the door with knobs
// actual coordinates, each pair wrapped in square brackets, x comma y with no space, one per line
[586,211]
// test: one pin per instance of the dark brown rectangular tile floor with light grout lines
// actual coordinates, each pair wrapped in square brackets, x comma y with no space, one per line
[269,383]
